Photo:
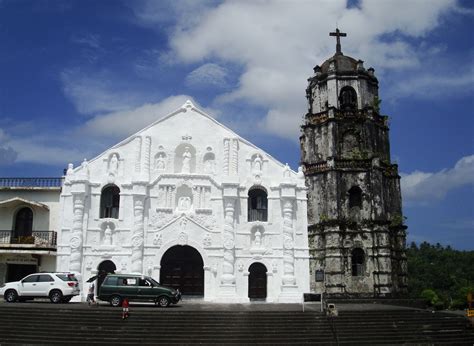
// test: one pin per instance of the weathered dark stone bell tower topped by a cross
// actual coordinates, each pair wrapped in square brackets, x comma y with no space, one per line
[355,222]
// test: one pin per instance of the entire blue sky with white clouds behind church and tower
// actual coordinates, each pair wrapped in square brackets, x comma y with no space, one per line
[78,76]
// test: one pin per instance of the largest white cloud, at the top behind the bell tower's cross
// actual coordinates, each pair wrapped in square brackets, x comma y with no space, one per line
[277,43]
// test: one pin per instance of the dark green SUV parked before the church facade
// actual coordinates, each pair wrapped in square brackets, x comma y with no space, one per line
[116,287]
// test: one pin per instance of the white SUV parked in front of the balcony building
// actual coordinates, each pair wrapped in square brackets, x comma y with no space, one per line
[59,287]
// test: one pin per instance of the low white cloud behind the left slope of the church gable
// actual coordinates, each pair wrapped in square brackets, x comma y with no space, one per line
[33,145]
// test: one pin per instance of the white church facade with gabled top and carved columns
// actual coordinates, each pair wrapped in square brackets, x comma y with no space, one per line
[190,203]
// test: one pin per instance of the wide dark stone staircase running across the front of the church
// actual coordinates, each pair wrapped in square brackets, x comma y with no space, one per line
[41,323]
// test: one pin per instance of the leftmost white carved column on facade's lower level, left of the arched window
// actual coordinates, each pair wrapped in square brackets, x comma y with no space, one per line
[75,241]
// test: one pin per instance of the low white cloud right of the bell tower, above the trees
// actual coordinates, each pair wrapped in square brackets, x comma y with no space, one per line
[424,187]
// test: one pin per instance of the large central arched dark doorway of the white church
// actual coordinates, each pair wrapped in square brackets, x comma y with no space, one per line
[182,268]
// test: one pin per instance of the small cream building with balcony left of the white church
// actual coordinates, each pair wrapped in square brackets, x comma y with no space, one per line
[29,218]
